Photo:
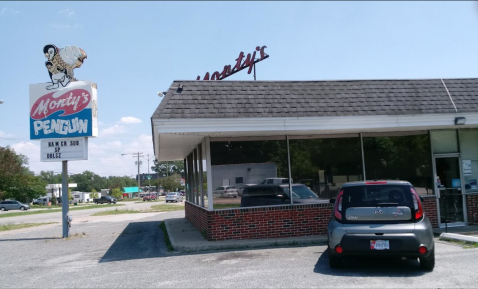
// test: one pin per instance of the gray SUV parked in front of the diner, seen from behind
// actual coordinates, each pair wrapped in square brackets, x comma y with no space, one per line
[380,218]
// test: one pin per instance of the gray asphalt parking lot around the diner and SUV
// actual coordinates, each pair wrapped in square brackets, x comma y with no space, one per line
[128,251]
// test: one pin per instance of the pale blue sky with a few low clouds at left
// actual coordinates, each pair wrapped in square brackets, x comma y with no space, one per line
[137,49]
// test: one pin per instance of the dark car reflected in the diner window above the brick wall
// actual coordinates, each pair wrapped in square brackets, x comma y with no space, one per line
[267,195]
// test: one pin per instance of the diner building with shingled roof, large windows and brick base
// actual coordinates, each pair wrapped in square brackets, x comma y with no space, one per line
[322,134]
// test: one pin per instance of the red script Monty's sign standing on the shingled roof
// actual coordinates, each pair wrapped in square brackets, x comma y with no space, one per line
[241,63]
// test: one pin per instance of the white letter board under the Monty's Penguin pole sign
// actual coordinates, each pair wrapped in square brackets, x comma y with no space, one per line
[64,149]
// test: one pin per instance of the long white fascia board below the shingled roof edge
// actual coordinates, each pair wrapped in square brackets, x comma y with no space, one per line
[325,124]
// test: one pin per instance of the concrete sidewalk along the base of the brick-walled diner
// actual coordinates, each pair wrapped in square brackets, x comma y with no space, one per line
[185,237]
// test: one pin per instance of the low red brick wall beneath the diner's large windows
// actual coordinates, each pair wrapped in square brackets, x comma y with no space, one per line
[272,222]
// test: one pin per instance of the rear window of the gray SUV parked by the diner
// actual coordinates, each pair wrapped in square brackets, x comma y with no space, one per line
[377,203]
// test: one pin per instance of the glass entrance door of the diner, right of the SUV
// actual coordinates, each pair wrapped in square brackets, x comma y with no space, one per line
[449,191]
